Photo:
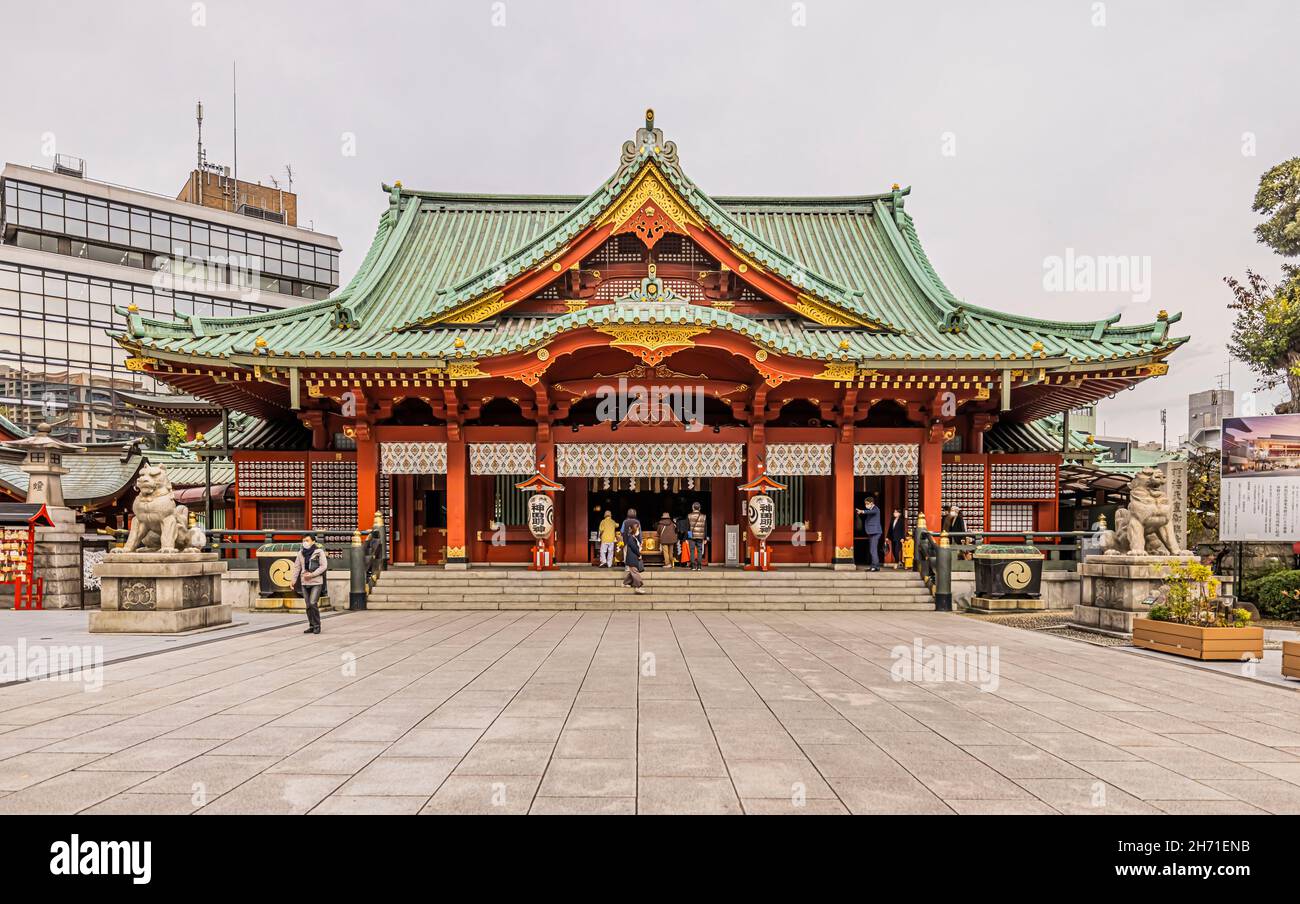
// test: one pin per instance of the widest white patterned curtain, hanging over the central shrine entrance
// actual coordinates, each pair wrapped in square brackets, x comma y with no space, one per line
[651,460]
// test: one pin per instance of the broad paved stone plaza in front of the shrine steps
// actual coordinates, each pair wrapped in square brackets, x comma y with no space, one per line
[656,712]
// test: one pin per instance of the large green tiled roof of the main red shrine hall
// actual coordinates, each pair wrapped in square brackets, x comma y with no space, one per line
[434,253]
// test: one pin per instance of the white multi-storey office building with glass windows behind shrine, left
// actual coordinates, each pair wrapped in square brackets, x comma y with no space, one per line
[73,250]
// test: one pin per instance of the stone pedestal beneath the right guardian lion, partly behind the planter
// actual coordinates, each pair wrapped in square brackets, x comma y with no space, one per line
[1117,589]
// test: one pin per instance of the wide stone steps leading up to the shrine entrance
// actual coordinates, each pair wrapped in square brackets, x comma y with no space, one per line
[666,589]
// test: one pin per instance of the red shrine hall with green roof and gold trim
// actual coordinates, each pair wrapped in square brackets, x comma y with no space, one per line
[647,347]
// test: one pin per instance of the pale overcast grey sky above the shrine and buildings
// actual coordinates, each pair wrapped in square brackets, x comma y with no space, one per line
[1039,139]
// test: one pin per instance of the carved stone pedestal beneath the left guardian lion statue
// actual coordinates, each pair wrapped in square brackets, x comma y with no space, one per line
[159,594]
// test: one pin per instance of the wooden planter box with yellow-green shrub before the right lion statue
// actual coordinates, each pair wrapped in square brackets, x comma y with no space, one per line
[1191,621]
